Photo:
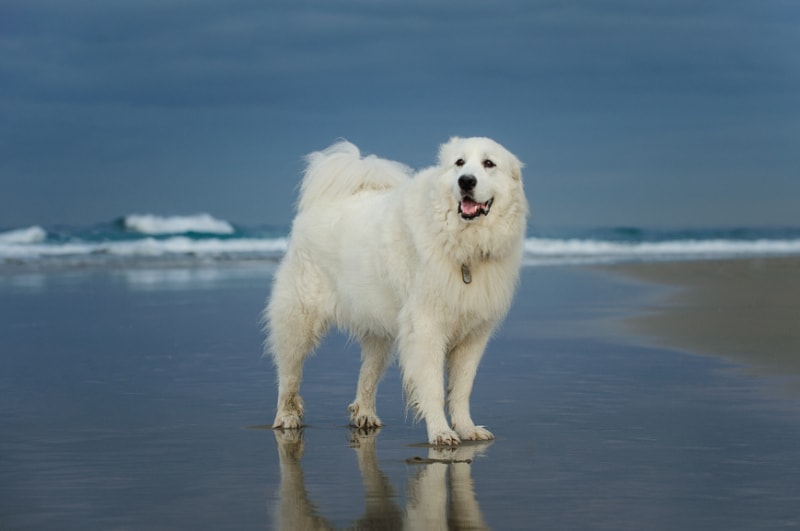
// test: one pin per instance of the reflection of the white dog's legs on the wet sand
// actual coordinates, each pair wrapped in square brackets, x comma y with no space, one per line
[445,473]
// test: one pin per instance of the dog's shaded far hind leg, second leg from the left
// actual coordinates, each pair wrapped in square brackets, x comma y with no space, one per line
[376,355]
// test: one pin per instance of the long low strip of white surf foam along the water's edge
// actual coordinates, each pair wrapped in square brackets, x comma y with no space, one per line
[30,246]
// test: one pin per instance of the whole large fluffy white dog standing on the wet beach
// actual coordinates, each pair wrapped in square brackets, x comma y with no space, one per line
[426,264]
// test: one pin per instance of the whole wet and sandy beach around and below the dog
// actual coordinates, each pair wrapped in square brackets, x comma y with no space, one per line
[634,396]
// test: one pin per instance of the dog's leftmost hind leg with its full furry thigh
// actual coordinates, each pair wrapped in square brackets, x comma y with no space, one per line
[296,320]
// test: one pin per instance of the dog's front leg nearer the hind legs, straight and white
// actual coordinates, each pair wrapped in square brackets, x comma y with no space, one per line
[421,346]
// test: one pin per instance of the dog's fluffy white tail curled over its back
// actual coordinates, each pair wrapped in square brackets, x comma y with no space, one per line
[339,172]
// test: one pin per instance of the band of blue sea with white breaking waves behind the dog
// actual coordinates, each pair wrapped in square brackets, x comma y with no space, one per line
[153,241]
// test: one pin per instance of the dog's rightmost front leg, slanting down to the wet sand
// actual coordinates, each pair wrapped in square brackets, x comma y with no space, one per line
[462,365]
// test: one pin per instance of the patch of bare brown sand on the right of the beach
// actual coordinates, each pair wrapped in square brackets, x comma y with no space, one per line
[744,310]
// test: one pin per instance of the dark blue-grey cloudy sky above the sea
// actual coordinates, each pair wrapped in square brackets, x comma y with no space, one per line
[626,112]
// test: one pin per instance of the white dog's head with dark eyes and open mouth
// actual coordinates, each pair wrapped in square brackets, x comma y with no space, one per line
[480,172]
